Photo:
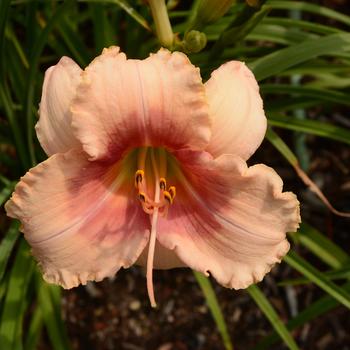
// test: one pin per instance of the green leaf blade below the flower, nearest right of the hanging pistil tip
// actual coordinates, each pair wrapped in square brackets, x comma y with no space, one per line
[214,307]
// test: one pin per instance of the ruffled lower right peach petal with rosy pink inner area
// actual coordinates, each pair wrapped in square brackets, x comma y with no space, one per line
[229,220]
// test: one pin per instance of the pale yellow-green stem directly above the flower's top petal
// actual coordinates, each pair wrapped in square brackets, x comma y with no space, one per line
[162,22]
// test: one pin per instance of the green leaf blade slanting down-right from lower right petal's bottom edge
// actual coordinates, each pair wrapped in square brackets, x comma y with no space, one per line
[270,313]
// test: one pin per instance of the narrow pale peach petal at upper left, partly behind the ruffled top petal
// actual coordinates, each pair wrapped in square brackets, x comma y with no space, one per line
[54,126]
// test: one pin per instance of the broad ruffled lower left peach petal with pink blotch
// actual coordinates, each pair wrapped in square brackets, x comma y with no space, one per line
[80,218]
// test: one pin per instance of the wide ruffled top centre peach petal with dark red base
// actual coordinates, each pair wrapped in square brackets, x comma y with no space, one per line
[128,103]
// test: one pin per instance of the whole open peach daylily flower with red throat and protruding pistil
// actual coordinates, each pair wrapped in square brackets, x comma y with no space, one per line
[147,165]
